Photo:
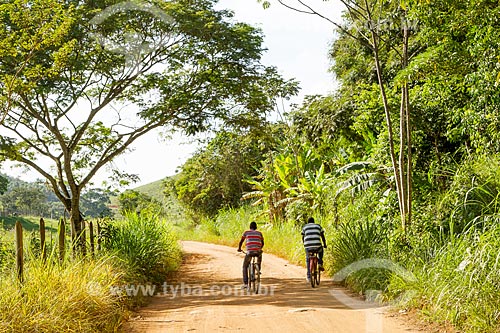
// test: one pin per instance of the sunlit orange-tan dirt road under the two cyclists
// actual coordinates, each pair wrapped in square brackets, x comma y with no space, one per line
[206,297]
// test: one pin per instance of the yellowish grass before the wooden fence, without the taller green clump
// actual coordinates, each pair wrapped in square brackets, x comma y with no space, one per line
[73,297]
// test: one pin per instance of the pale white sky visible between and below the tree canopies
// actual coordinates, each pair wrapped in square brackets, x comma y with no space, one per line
[297,45]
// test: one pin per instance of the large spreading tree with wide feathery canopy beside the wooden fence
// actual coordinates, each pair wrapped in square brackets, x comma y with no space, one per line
[82,81]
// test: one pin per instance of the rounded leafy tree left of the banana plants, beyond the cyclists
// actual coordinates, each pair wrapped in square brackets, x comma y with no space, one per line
[212,178]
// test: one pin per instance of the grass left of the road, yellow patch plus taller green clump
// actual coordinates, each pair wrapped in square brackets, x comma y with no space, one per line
[91,294]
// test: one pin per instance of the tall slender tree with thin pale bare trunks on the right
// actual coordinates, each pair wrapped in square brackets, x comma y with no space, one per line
[365,22]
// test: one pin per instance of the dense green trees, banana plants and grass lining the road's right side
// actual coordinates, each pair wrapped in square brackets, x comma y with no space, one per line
[400,164]
